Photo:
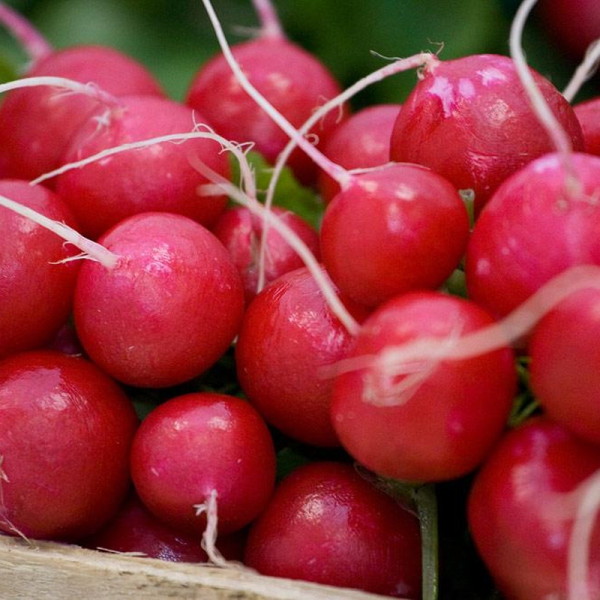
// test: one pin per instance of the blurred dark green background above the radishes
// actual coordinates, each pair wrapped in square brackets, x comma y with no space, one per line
[174,37]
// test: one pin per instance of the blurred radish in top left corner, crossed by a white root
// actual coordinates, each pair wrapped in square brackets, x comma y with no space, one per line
[36,124]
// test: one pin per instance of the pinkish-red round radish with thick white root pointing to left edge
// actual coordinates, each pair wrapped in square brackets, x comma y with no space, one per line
[169,308]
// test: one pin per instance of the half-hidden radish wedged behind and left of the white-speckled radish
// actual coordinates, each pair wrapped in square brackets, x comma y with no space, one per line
[361,141]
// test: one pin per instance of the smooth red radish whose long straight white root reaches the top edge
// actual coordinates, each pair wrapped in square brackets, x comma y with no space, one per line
[405,228]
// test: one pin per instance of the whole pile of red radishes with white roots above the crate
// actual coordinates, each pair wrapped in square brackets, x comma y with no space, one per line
[361,389]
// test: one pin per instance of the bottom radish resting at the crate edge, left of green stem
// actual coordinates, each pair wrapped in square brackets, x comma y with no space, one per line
[327,524]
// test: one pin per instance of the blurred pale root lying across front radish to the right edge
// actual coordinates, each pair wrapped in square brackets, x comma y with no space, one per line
[415,360]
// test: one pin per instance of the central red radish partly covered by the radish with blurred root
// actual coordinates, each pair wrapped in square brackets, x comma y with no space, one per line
[287,336]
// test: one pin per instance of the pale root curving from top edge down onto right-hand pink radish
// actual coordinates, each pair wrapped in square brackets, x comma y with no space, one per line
[557,134]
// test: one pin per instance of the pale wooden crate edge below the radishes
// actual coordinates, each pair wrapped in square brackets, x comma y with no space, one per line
[50,571]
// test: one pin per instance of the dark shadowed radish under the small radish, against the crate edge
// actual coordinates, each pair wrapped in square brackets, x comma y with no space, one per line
[134,529]
